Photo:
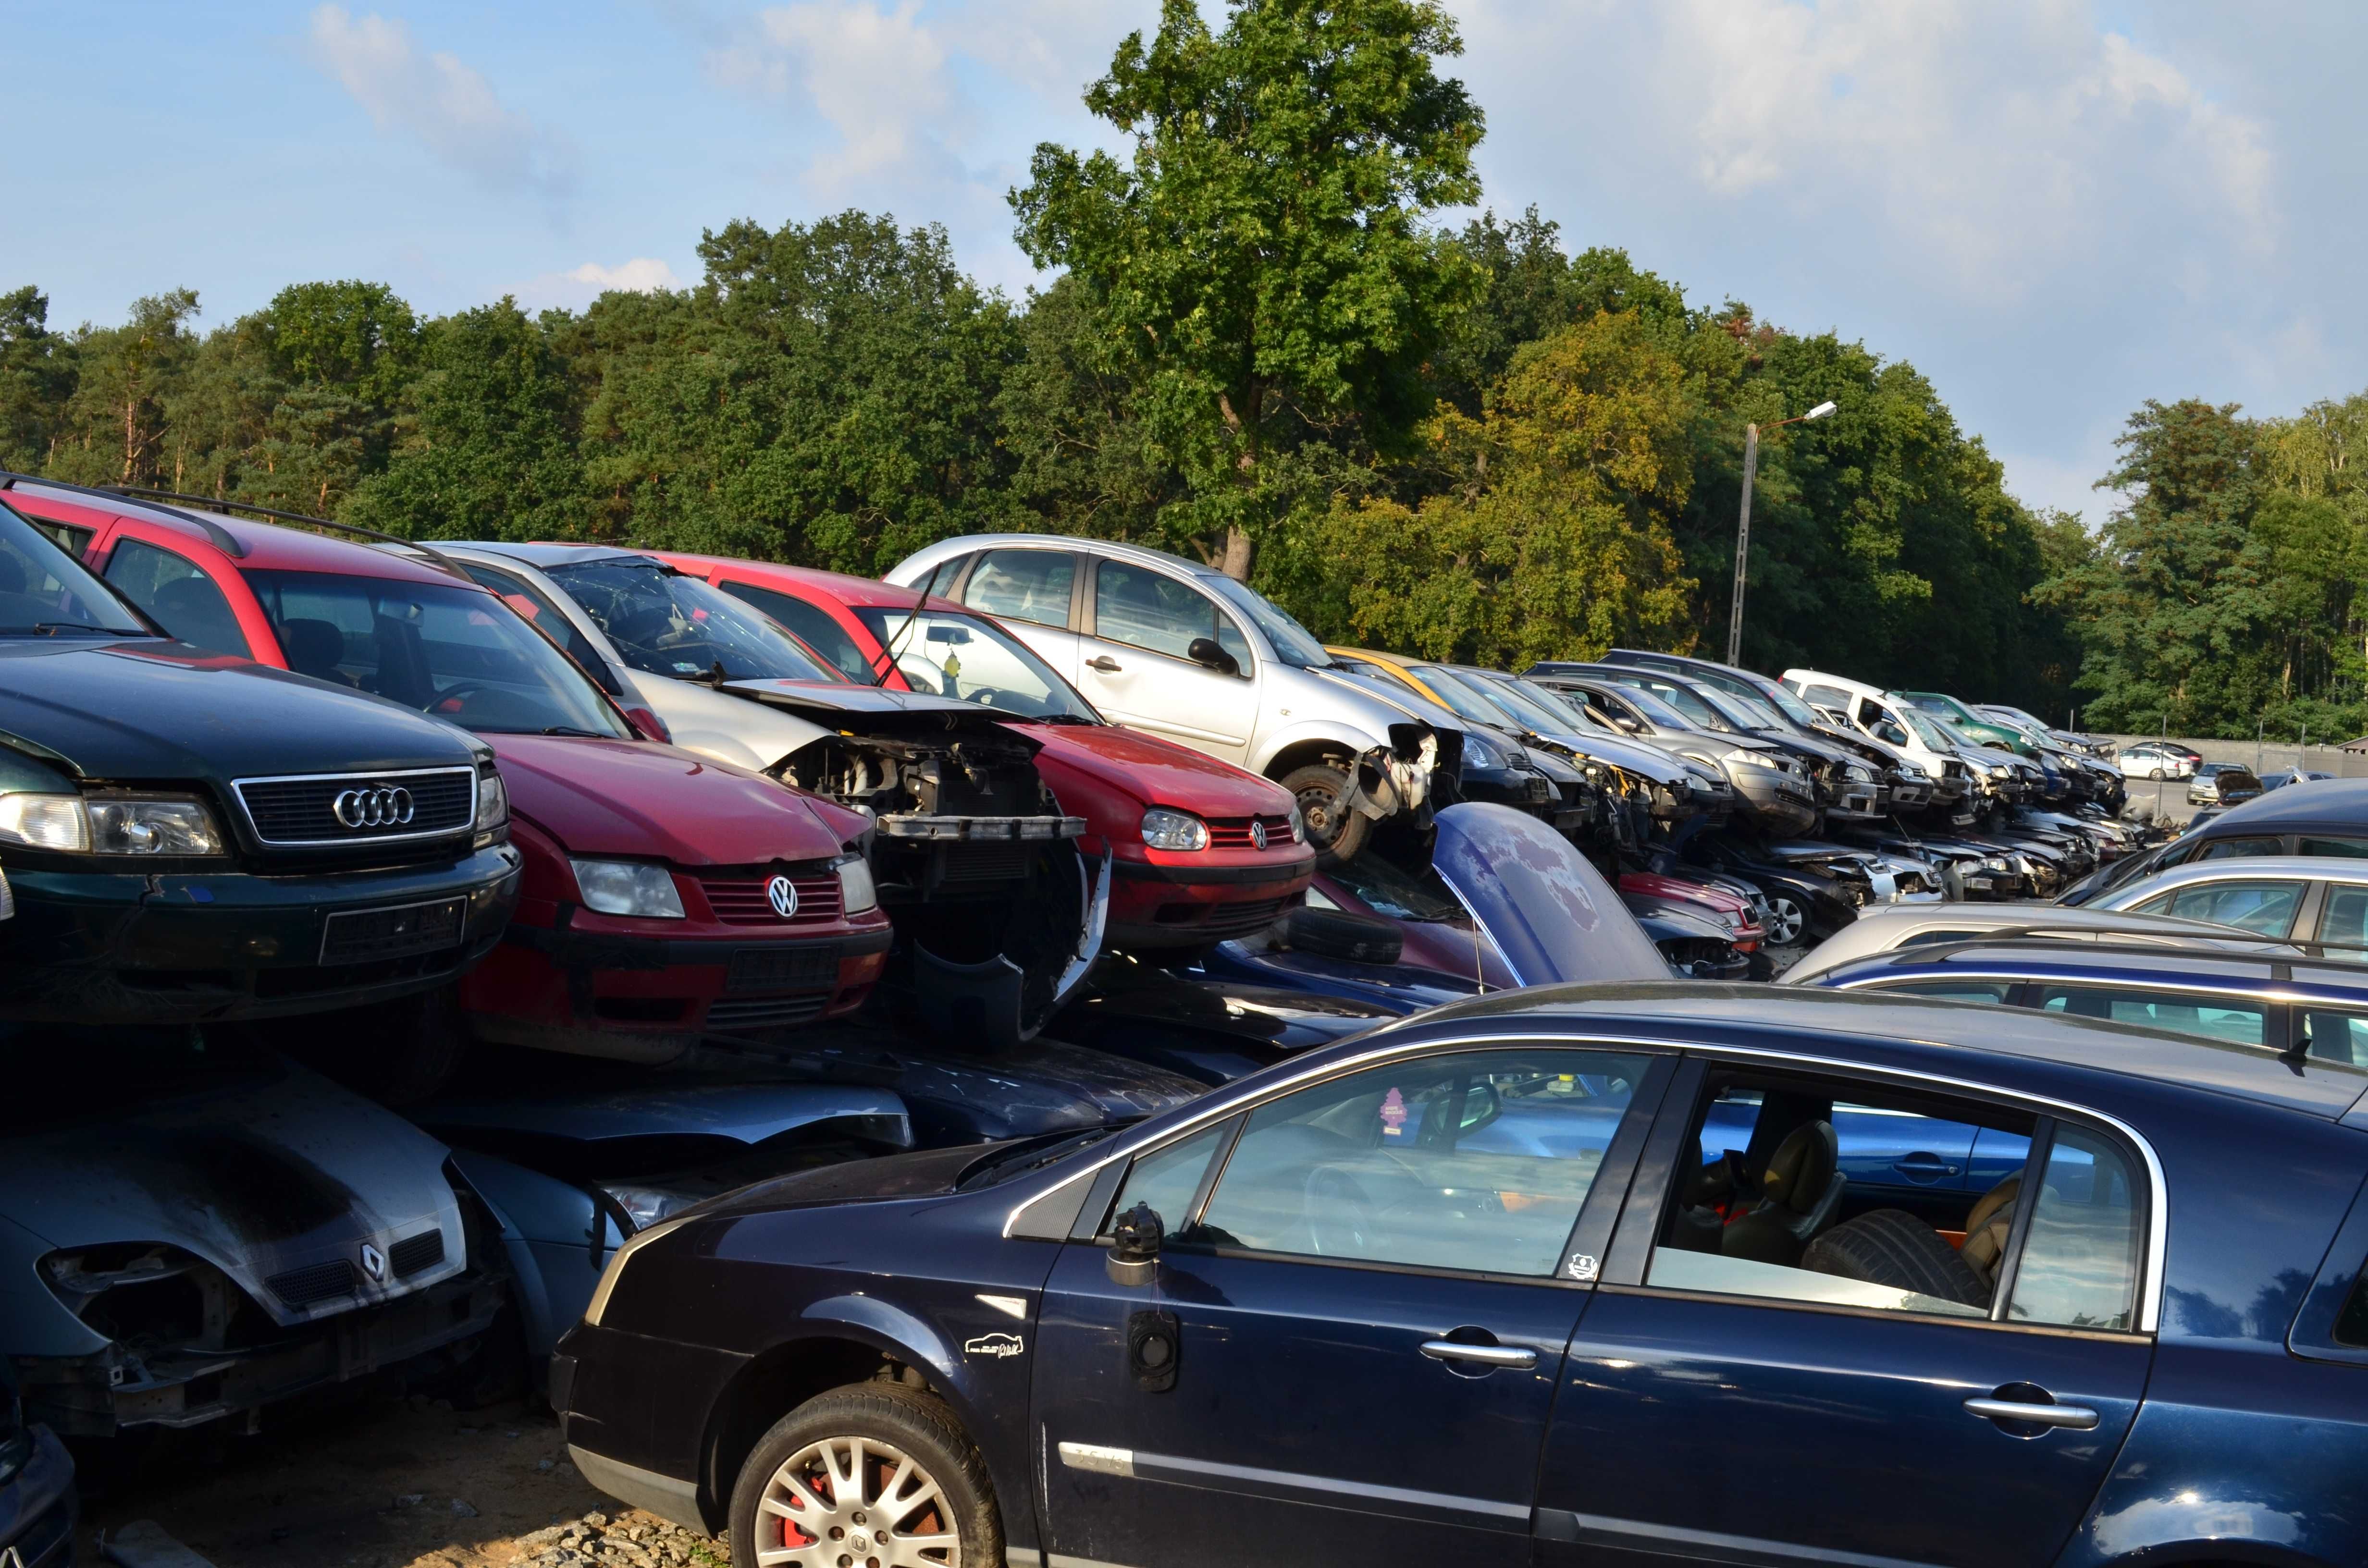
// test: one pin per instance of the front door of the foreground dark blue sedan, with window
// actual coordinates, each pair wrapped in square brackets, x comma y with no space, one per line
[1368,1287]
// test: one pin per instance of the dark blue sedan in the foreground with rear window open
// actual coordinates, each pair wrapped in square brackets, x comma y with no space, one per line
[1559,1275]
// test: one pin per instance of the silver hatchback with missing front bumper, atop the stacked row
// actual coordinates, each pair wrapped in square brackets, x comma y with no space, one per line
[1183,650]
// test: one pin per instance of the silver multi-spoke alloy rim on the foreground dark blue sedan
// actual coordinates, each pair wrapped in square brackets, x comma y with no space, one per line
[854,1503]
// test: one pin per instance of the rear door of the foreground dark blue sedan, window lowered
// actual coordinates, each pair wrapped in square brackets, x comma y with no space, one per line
[1725,1403]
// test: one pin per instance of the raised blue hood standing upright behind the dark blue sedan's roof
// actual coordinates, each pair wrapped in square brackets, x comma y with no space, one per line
[1543,906]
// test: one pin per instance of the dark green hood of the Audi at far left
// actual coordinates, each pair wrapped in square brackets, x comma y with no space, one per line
[167,712]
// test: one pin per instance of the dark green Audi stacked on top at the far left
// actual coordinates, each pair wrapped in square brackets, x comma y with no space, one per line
[193,835]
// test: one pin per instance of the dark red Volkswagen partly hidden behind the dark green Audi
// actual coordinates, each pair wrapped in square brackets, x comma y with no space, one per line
[664,894]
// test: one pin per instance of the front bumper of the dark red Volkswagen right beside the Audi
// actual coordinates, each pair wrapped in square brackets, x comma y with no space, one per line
[596,989]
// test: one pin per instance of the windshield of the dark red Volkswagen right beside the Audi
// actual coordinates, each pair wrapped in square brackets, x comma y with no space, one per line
[456,653]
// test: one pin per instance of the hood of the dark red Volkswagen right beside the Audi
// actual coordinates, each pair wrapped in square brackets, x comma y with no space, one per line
[657,802]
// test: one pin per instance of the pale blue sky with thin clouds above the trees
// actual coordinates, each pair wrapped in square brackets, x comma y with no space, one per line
[2054,207]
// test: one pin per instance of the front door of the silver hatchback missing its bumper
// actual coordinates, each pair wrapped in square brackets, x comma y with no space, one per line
[1135,662]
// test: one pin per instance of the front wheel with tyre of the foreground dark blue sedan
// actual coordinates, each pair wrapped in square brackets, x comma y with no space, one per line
[868,1477]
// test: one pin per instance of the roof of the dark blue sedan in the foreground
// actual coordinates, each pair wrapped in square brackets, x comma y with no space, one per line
[1877,1024]
